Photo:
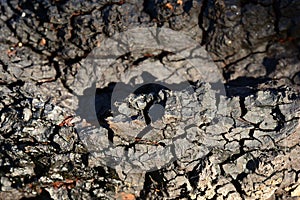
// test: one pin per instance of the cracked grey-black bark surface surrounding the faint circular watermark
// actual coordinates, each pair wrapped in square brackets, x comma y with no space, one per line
[248,150]
